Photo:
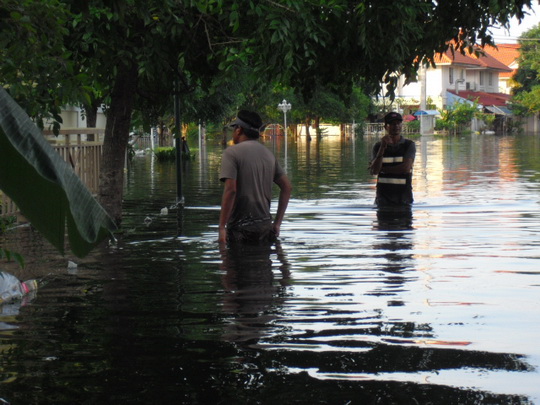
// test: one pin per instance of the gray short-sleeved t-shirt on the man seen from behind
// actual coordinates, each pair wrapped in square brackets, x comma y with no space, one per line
[255,169]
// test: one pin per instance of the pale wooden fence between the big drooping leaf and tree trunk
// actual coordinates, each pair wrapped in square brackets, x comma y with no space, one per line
[83,156]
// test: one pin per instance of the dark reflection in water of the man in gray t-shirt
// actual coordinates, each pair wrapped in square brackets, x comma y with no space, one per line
[253,296]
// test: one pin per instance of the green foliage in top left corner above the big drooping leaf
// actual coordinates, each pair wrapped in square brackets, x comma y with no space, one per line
[36,68]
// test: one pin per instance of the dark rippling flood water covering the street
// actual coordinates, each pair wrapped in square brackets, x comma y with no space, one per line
[353,306]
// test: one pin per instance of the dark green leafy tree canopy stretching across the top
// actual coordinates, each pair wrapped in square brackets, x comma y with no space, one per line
[76,47]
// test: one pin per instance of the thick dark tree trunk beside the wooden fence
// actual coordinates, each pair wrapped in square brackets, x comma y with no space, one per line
[111,176]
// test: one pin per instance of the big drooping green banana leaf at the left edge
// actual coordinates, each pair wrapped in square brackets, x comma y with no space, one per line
[44,187]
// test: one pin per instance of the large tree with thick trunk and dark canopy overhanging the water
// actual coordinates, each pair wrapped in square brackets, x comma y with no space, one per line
[136,49]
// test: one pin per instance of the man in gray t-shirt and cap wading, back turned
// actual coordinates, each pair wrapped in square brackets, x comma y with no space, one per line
[249,170]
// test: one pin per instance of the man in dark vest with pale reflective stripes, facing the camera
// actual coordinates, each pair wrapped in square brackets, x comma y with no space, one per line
[392,162]
